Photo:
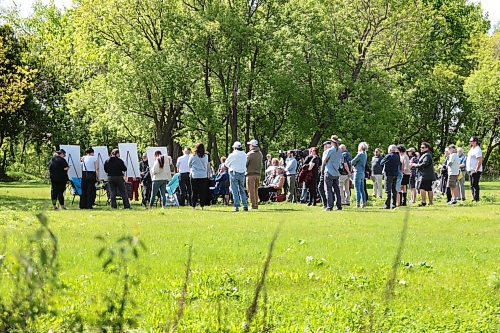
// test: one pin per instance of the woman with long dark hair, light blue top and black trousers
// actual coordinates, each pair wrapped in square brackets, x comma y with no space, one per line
[200,174]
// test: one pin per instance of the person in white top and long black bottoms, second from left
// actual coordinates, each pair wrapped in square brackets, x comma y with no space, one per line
[90,167]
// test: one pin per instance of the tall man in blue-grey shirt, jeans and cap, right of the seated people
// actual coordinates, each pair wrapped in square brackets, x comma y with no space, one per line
[332,161]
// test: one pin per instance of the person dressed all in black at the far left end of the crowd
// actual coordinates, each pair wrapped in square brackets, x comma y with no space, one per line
[58,169]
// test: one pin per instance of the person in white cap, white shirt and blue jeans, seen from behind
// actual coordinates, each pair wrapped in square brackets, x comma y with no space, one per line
[236,163]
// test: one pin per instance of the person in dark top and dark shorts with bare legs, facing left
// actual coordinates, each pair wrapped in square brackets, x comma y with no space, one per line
[426,174]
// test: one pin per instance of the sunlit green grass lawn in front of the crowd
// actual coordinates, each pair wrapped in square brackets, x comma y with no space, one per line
[452,286]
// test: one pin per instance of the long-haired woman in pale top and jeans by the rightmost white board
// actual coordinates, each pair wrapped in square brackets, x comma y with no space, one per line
[160,176]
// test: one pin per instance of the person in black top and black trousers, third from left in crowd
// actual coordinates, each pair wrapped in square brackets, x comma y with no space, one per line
[115,167]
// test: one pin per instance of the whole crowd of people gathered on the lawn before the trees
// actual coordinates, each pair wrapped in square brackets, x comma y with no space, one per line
[247,179]
